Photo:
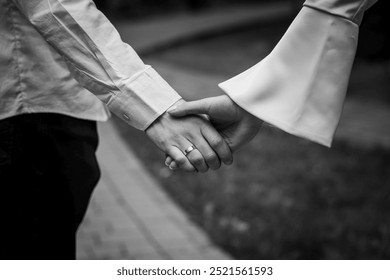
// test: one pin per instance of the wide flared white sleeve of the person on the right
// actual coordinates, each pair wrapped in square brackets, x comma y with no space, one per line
[300,86]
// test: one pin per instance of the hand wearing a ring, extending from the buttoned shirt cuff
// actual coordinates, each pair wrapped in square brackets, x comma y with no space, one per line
[174,135]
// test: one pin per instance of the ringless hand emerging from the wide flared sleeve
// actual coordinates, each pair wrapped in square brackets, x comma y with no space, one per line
[236,125]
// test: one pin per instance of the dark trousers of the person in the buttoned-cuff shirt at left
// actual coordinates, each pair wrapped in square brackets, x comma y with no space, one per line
[48,171]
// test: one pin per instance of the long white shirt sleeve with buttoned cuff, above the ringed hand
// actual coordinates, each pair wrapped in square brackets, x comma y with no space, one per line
[99,60]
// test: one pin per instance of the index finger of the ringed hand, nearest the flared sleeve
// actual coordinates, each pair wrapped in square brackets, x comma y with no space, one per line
[218,144]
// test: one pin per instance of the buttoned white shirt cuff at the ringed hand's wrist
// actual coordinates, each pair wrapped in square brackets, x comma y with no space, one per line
[143,99]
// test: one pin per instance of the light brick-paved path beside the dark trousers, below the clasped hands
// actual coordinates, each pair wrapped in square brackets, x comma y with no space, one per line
[130,217]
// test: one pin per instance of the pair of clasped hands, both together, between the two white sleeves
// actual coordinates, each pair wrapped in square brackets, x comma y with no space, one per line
[203,134]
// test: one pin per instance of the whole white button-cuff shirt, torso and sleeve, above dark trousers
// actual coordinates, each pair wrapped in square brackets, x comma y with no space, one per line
[55,53]
